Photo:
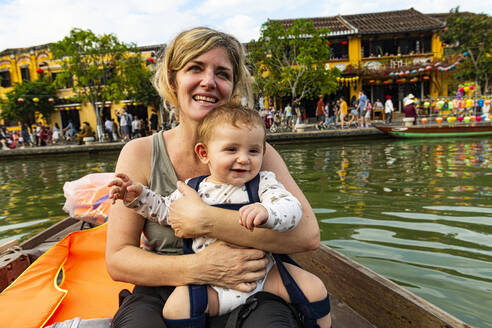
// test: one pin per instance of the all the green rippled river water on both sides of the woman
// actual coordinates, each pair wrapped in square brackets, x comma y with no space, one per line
[419,212]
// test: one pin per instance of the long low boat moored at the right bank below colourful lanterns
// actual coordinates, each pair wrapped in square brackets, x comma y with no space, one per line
[435,129]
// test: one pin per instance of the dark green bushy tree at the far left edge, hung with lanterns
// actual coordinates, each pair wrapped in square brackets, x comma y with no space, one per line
[29,98]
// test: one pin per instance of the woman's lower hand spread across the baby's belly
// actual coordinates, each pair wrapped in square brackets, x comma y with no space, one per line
[229,266]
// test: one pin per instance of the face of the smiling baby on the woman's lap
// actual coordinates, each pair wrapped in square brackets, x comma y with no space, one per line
[235,154]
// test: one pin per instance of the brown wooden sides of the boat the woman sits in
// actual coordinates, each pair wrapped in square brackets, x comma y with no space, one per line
[359,296]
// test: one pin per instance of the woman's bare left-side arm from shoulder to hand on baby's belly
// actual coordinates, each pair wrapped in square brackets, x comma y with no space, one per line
[219,263]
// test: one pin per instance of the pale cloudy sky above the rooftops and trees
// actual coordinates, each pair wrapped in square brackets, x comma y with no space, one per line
[26,23]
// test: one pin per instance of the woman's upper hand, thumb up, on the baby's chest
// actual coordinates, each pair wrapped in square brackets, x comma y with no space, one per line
[186,214]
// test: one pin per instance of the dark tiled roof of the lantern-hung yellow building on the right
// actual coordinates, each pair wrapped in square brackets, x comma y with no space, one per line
[397,21]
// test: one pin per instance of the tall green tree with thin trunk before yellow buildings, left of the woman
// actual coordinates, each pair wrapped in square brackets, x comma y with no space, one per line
[97,64]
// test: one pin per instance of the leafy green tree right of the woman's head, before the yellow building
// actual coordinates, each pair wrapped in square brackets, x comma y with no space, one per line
[292,60]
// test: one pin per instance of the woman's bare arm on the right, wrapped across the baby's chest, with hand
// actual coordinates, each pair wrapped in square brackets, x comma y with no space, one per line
[190,217]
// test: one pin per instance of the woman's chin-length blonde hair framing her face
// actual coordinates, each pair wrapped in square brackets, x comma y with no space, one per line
[191,44]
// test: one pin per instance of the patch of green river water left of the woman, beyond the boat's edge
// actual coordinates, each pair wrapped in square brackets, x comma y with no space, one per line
[32,190]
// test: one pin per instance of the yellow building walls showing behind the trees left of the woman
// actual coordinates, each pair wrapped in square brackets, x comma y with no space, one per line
[26,64]
